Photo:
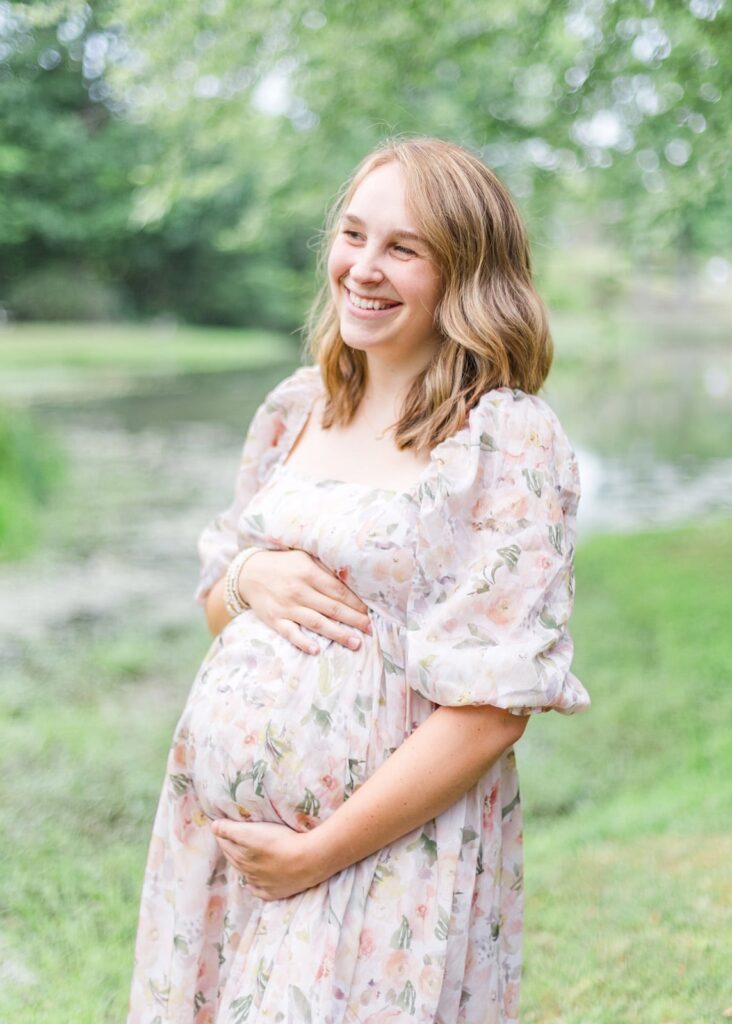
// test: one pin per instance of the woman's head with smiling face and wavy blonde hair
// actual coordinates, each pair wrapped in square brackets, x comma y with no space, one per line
[437,232]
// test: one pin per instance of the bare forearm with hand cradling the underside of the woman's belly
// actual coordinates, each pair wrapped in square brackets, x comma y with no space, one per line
[441,761]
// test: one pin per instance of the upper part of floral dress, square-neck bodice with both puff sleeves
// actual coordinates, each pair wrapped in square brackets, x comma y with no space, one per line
[471,571]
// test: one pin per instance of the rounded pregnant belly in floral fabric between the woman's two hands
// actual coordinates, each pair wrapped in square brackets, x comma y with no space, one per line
[273,735]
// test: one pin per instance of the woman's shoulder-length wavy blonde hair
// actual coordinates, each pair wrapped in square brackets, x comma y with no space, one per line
[493,323]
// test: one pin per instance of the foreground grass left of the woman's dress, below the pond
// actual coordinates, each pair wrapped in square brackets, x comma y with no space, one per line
[84,731]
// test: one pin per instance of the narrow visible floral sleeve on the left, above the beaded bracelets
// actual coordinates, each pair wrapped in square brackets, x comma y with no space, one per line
[282,412]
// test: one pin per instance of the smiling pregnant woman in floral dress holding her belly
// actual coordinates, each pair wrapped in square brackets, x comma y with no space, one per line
[339,836]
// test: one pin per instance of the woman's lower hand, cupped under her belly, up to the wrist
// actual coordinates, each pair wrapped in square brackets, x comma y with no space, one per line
[275,860]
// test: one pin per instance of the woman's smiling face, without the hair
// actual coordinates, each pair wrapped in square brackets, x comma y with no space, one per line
[383,280]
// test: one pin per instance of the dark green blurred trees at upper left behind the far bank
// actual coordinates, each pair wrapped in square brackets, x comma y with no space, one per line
[75,237]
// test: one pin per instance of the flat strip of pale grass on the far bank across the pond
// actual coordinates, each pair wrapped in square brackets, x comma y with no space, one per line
[59,358]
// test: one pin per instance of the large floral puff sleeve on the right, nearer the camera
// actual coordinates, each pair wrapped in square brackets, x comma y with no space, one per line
[494,584]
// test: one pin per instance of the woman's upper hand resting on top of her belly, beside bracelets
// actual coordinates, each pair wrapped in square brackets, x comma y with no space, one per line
[291,589]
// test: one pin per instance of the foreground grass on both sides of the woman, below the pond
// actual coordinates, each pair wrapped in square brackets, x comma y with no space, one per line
[627,808]
